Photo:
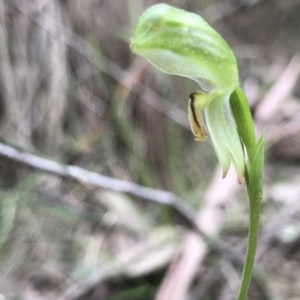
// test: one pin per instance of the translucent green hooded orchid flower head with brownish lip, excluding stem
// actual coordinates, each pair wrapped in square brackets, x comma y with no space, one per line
[182,43]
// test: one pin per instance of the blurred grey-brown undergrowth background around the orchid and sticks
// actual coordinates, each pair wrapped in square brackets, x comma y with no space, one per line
[72,91]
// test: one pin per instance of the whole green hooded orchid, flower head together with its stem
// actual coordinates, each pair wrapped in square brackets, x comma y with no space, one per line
[182,43]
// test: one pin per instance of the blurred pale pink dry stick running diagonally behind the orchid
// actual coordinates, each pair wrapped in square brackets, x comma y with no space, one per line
[185,265]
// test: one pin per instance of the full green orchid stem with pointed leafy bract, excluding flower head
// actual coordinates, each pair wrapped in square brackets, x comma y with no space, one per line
[253,176]
